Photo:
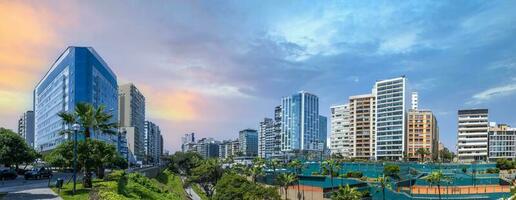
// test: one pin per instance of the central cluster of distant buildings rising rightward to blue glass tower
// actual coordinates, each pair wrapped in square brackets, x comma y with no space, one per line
[295,128]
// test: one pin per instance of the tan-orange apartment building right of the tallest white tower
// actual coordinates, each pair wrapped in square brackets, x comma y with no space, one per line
[422,132]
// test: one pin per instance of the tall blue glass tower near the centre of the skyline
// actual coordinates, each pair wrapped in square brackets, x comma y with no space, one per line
[300,123]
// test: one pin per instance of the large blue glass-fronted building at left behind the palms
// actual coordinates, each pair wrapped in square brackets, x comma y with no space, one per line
[78,75]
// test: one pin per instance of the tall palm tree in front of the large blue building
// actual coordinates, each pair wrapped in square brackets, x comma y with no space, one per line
[91,119]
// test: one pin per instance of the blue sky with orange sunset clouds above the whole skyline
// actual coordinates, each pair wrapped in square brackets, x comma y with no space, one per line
[217,67]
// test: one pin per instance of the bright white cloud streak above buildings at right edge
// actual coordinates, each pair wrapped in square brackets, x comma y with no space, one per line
[492,93]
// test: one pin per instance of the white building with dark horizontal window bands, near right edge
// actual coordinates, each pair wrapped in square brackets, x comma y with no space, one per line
[472,135]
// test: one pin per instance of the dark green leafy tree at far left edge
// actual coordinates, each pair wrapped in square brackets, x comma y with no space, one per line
[14,150]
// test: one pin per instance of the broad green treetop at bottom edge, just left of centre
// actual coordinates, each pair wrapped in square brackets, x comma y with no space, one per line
[234,186]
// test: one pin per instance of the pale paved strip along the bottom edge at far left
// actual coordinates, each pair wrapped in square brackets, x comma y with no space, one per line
[35,193]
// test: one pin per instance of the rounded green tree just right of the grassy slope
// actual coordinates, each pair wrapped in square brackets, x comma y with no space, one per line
[207,174]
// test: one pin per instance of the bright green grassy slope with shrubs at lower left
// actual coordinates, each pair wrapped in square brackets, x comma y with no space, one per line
[130,186]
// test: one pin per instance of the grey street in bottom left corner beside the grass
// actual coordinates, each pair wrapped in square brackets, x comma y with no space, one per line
[31,189]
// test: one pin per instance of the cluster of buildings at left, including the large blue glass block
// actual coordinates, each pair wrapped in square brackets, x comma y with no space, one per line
[81,75]
